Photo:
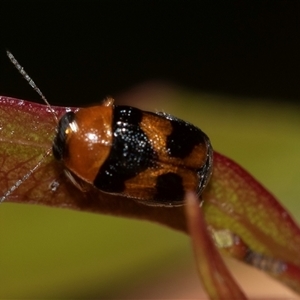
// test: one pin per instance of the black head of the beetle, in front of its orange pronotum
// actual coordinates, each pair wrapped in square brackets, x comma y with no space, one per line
[59,147]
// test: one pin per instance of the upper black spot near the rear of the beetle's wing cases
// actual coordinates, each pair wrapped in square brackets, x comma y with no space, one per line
[183,139]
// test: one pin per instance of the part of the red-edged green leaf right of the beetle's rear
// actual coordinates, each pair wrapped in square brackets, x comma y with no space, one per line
[267,235]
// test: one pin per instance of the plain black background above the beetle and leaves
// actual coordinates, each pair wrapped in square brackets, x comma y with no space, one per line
[81,51]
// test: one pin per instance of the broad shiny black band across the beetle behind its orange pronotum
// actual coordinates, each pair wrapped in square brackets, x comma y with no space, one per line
[131,152]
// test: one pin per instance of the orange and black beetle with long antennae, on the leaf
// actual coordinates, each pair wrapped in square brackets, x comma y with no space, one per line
[154,158]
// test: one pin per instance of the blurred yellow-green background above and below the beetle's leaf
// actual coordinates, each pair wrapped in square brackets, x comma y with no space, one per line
[51,253]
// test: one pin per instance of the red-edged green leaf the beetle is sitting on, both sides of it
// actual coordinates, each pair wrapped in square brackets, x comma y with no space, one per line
[234,201]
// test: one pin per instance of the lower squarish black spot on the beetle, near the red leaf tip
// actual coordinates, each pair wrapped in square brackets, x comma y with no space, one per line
[169,188]
